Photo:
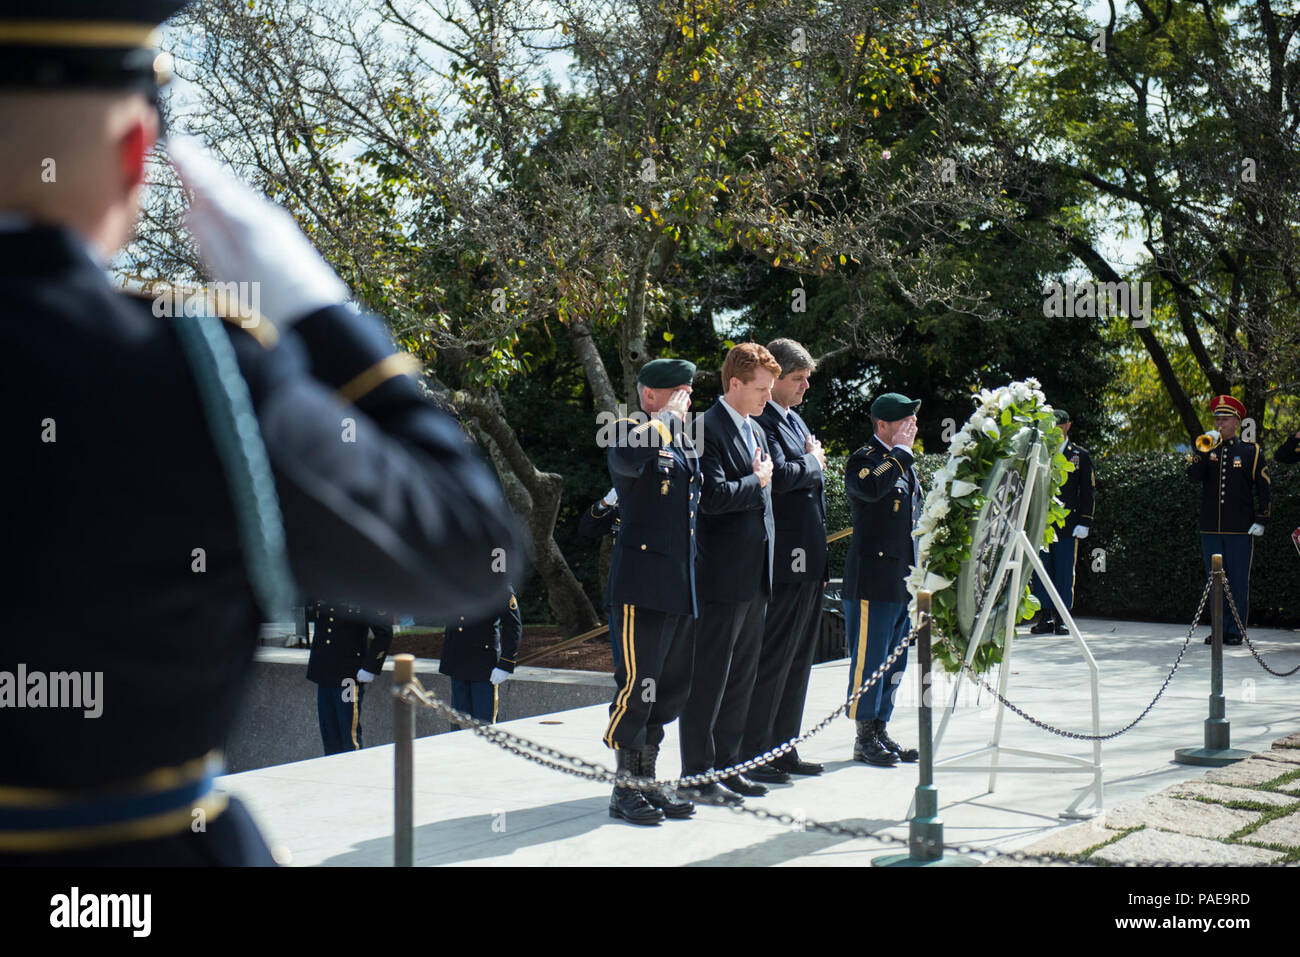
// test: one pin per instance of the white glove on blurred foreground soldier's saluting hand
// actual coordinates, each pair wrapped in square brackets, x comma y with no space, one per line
[244,237]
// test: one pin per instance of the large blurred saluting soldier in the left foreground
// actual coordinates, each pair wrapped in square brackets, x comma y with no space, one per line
[163,477]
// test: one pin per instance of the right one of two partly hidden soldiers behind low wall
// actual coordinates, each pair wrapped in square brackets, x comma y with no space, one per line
[478,656]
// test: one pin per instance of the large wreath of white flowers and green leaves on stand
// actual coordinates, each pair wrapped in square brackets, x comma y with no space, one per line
[986,460]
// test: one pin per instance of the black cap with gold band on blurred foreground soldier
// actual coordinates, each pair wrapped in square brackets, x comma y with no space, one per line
[72,45]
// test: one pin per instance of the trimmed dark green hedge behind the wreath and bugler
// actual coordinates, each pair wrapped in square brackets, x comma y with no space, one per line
[1146,525]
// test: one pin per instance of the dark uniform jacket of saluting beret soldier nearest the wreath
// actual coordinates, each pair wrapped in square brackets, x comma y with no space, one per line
[885,497]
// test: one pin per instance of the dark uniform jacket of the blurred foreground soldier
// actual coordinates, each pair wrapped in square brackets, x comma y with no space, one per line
[112,483]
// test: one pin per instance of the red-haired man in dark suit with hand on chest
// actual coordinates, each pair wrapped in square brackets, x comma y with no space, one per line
[735,571]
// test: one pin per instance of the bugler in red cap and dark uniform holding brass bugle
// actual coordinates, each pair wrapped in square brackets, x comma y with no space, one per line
[1236,495]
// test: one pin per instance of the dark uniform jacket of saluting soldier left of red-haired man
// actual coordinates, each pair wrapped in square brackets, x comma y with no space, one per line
[656,471]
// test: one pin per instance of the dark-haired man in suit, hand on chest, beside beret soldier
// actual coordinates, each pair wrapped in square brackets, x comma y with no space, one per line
[800,573]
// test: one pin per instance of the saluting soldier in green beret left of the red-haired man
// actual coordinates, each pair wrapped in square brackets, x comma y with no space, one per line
[656,471]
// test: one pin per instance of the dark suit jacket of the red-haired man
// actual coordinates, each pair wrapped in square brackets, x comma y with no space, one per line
[738,535]
